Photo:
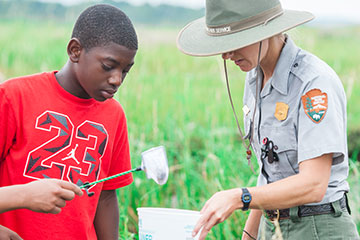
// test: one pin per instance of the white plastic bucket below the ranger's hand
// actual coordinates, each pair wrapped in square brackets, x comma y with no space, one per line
[167,224]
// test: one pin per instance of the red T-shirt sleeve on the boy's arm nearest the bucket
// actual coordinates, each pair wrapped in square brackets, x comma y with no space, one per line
[120,161]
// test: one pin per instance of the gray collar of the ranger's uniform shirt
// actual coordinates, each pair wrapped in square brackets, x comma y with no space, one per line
[279,80]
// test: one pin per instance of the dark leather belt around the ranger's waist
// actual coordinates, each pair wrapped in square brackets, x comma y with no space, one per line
[305,211]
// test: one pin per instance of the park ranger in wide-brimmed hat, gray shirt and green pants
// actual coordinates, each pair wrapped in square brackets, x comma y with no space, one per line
[294,118]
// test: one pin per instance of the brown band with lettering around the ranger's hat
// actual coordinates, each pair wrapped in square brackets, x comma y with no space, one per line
[262,18]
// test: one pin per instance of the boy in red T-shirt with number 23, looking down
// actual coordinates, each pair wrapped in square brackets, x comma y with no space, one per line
[65,125]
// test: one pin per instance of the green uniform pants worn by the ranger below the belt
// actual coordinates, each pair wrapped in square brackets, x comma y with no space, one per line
[333,226]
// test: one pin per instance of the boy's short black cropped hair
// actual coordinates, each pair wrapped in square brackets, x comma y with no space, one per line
[102,24]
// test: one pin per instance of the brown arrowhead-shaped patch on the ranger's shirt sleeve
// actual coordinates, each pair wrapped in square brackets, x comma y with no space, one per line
[315,104]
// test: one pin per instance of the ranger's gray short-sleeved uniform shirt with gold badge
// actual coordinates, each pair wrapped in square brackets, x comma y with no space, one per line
[312,118]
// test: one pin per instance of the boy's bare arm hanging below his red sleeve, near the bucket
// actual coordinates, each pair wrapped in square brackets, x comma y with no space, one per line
[106,220]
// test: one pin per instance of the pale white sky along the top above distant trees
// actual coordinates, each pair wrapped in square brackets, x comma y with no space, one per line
[348,10]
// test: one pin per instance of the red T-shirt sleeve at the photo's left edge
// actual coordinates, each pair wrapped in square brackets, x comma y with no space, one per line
[7,125]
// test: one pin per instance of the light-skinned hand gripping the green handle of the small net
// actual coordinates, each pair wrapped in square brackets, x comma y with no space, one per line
[49,195]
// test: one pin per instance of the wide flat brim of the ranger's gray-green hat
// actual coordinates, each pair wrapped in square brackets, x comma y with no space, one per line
[193,39]
